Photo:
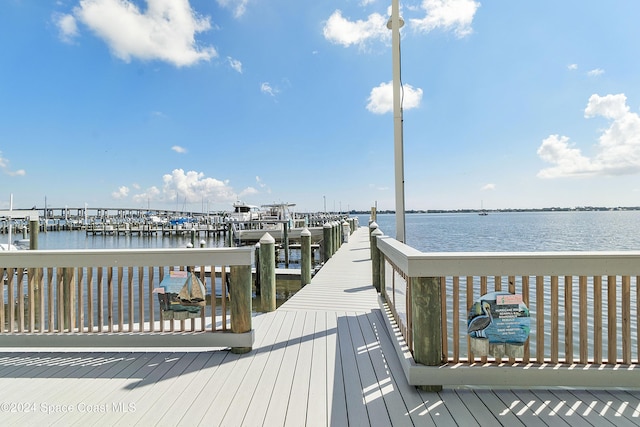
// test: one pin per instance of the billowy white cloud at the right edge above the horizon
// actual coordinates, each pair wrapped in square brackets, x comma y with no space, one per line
[618,148]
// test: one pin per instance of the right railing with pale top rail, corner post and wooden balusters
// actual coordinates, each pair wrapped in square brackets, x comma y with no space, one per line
[583,309]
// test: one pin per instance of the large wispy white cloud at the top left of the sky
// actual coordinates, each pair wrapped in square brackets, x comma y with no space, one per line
[164,31]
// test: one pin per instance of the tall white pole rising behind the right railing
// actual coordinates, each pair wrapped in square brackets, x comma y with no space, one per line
[396,23]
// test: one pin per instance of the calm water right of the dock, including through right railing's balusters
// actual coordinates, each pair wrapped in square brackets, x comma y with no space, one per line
[536,231]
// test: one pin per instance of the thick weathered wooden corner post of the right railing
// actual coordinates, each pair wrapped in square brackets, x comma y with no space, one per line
[426,322]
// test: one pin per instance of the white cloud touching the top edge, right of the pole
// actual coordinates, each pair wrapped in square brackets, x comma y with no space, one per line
[448,15]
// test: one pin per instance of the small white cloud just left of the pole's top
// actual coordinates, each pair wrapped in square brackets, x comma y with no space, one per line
[339,30]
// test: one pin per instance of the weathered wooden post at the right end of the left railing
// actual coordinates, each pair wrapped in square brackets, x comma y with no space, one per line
[240,294]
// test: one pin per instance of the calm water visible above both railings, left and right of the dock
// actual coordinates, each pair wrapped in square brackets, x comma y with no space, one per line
[451,232]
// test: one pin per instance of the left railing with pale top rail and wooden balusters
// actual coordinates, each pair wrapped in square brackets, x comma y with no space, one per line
[111,298]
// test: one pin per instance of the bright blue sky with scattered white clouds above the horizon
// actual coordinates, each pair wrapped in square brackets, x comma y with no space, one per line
[194,104]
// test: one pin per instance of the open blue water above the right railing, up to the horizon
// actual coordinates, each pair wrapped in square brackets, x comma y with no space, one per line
[522,231]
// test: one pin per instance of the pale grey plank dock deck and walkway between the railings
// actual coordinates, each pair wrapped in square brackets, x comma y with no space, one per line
[324,358]
